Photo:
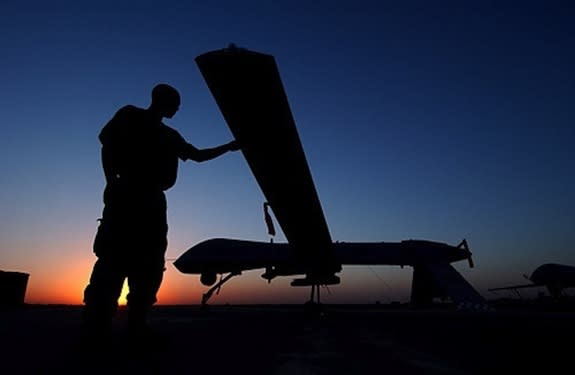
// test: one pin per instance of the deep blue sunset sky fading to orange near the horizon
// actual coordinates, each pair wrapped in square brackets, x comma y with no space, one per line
[437,120]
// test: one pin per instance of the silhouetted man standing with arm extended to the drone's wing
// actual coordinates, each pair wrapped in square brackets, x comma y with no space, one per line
[140,156]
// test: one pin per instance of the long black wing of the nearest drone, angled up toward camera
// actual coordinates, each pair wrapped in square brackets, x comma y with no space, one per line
[249,92]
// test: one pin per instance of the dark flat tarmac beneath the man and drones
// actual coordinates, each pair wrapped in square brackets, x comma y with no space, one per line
[287,339]
